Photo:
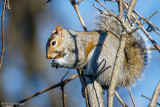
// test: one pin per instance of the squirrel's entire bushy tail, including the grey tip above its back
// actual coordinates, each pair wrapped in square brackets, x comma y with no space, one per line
[135,52]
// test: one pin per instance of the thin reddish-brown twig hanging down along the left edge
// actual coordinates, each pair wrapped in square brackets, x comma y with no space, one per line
[2,28]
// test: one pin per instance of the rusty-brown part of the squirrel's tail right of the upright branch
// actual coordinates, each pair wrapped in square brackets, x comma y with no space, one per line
[136,57]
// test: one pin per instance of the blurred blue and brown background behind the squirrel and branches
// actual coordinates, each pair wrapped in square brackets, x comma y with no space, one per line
[26,70]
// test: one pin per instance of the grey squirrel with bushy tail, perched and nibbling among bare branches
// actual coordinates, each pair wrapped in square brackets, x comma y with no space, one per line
[95,51]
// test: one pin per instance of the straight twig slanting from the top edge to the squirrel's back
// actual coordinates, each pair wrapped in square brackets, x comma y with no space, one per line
[74,4]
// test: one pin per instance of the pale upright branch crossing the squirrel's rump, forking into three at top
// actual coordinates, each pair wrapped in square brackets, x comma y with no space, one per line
[119,56]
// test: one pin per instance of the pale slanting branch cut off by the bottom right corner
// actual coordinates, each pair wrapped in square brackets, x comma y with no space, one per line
[155,96]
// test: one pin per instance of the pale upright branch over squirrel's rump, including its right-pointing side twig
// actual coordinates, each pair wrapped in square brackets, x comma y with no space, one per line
[127,30]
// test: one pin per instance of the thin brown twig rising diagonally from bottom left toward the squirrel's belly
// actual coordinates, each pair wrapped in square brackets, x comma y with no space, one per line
[47,89]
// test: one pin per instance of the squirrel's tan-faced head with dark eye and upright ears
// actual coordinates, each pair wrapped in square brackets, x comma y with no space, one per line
[55,47]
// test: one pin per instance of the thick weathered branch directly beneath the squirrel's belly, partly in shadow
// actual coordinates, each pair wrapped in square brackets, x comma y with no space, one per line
[91,90]
